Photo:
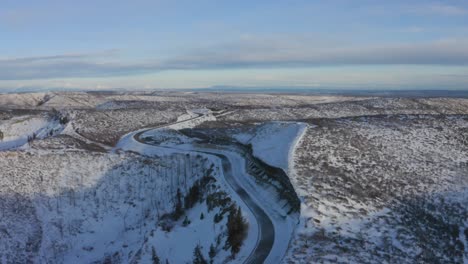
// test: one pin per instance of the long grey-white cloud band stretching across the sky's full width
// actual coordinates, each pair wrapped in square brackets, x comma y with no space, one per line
[245,53]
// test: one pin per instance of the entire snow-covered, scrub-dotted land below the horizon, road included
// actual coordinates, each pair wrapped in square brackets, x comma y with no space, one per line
[199,177]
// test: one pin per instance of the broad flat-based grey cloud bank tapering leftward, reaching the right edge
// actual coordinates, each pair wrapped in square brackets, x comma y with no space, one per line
[270,52]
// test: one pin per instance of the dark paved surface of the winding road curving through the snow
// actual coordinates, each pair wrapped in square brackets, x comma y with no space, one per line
[266,231]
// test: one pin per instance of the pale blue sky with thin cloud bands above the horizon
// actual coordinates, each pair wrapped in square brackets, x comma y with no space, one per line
[143,44]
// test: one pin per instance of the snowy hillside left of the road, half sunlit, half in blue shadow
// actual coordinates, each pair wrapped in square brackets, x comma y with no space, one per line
[96,206]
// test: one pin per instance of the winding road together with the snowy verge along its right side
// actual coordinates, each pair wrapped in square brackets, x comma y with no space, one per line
[274,228]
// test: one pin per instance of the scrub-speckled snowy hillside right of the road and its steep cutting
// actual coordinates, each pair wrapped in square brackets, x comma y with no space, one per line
[395,186]
